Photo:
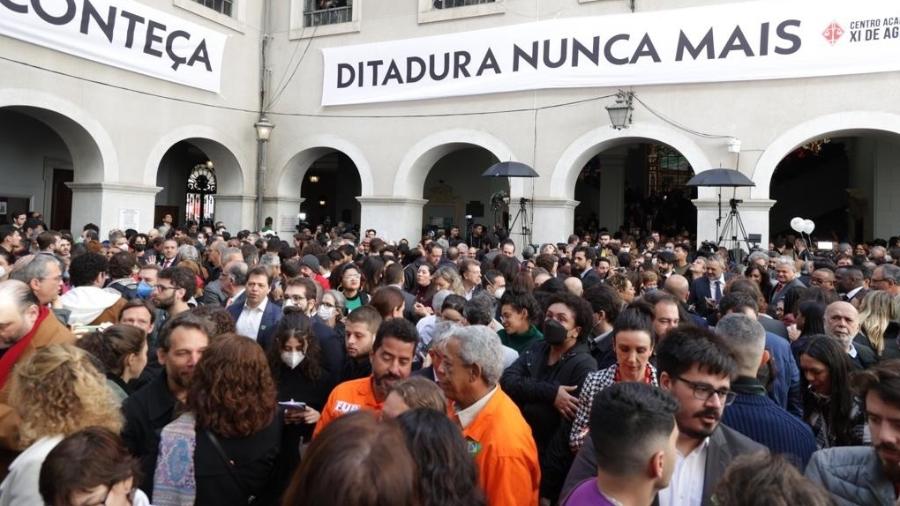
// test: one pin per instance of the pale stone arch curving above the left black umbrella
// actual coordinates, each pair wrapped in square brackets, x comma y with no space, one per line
[418,161]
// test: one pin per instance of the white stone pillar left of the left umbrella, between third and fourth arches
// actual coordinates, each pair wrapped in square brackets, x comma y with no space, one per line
[394,218]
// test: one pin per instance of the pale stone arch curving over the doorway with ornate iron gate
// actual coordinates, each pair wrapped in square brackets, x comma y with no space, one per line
[229,173]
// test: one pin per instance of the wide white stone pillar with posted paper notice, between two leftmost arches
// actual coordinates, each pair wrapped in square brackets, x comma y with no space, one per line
[112,205]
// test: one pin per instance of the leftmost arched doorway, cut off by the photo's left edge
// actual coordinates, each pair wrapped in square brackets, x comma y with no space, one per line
[41,152]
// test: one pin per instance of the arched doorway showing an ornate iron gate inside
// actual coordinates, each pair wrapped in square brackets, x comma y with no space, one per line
[191,173]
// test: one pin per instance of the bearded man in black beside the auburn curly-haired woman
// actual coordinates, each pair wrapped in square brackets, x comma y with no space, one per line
[181,344]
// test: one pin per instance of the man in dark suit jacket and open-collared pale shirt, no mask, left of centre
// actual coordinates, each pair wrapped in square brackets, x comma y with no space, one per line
[254,314]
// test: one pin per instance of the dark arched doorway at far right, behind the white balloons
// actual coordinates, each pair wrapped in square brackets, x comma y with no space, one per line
[844,181]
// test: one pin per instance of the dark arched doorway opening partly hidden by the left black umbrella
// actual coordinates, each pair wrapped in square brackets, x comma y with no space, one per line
[458,196]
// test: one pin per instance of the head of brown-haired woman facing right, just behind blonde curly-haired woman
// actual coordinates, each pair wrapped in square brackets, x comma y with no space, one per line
[122,350]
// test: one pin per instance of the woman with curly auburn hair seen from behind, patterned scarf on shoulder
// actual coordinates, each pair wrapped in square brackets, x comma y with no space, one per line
[223,449]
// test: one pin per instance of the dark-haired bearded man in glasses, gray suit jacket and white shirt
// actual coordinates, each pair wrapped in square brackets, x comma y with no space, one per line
[696,367]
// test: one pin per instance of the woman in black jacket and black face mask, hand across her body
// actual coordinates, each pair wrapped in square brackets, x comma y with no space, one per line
[545,379]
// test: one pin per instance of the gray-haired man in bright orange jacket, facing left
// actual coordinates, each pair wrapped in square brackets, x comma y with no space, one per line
[496,434]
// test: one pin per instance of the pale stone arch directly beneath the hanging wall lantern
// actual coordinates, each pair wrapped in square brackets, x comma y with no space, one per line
[577,154]
